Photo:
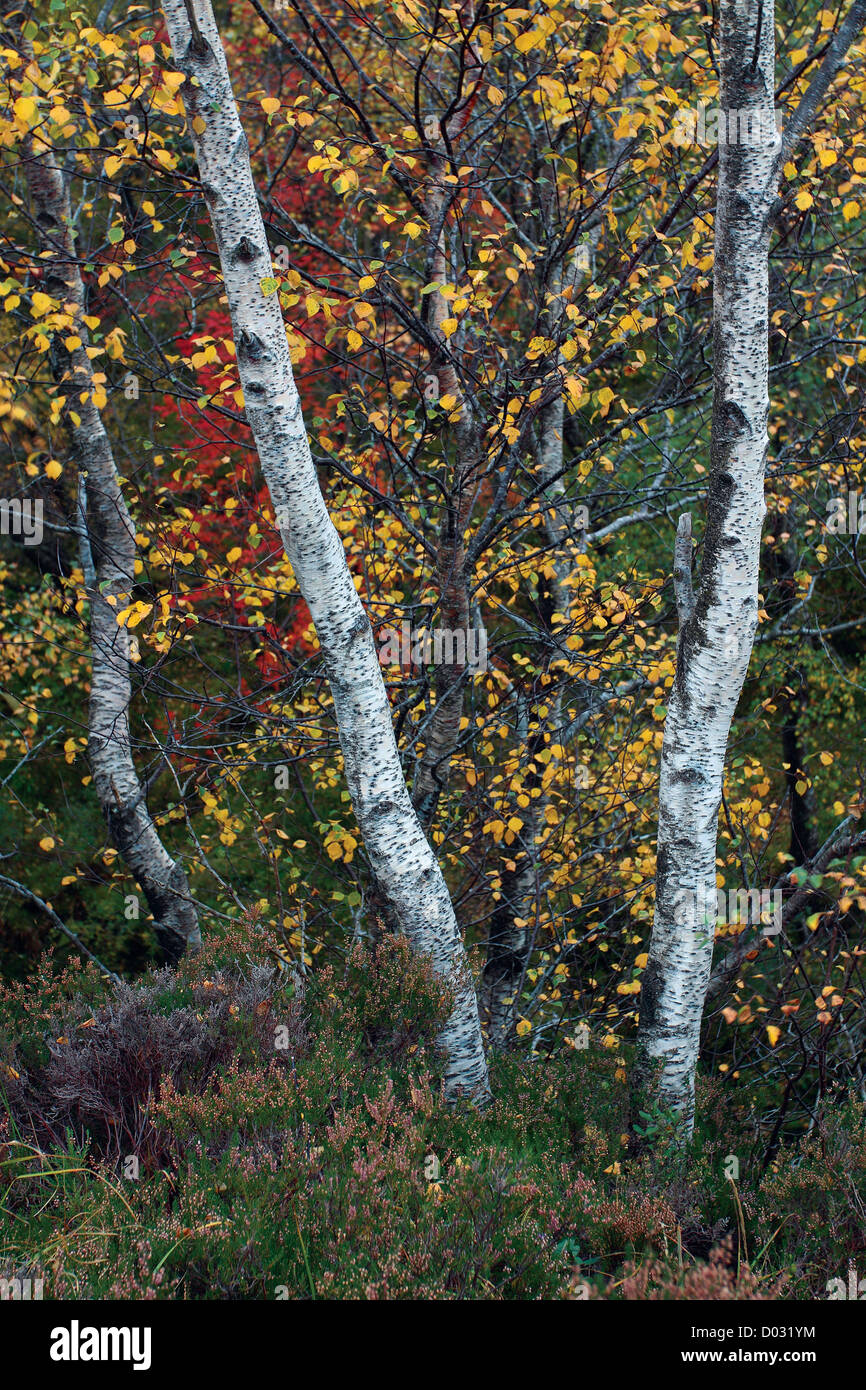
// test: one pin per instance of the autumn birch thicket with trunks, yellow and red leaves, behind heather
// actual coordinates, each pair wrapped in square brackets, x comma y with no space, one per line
[551,279]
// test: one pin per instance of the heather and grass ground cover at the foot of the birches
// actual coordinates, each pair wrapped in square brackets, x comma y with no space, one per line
[237,1131]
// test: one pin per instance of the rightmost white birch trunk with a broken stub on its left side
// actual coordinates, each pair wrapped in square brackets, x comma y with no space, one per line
[718,625]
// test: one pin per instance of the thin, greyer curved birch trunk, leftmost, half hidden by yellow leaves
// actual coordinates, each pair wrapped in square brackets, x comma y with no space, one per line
[108,544]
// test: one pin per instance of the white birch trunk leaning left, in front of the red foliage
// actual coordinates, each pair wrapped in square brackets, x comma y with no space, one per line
[405,868]
